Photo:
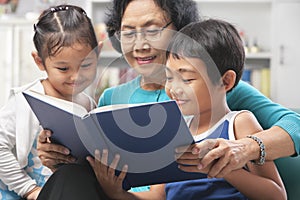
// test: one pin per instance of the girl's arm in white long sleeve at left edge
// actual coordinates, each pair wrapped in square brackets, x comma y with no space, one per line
[11,171]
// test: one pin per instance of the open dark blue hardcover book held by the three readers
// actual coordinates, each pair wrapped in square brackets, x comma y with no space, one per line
[144,135]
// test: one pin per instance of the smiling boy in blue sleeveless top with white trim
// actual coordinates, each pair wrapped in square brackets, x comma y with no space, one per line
[205,61]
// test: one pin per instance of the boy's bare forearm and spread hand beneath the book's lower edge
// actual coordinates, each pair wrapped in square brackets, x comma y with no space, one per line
[112,184]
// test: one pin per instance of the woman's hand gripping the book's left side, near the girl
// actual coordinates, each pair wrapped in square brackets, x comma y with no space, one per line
[51,154]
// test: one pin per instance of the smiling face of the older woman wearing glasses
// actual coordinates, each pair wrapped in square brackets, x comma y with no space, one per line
[145,54]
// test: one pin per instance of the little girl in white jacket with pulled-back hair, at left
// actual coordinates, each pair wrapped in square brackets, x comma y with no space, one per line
[67,51]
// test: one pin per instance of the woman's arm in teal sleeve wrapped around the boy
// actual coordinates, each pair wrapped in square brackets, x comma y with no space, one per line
[282,126]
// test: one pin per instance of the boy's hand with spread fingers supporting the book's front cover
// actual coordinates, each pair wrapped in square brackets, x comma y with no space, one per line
[110,183]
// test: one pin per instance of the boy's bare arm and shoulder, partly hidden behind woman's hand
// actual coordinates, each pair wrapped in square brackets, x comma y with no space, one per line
[260,181]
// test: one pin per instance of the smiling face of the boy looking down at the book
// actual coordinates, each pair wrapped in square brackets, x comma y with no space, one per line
[188,83]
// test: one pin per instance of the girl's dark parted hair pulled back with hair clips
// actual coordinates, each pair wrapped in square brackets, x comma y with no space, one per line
[62,26]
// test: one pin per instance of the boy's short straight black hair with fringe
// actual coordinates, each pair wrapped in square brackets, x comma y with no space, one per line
[217,43]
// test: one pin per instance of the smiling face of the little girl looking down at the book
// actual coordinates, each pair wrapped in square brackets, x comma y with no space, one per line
[71,70]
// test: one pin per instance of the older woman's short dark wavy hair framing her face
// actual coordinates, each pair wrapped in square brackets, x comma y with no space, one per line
[180,12]
